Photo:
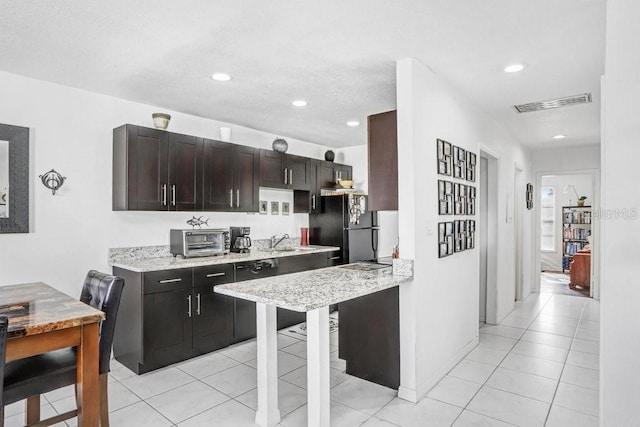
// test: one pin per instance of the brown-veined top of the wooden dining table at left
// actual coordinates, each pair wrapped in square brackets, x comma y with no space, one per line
[36,308]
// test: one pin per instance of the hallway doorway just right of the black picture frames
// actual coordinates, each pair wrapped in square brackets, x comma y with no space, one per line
[488,236]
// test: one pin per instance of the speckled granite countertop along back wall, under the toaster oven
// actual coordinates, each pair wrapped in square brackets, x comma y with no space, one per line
[169,263]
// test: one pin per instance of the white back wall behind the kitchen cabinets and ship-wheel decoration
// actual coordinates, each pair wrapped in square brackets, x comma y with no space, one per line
[71,131]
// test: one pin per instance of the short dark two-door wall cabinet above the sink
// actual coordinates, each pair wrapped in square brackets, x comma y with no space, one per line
[279,170]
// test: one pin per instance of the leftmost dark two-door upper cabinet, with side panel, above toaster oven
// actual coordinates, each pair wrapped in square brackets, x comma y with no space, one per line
[155,170]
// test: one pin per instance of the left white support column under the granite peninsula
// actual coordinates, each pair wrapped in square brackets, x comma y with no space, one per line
[268,413]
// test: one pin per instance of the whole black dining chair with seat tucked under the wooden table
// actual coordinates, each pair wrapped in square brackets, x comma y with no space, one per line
[30,377]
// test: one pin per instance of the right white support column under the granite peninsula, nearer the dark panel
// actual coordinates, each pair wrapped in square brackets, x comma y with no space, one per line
[318,367]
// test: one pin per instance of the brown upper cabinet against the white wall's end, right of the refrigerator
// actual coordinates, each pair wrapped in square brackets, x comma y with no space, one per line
[383,161]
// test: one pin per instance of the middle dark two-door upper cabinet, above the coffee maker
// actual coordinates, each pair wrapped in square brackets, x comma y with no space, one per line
[231,177]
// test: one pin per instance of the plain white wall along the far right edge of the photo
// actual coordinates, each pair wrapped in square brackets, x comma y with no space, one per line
[620,224]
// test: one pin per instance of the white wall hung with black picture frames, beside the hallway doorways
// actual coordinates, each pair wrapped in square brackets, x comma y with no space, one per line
[439,309]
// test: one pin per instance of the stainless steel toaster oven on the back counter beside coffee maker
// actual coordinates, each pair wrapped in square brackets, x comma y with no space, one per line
[200,242]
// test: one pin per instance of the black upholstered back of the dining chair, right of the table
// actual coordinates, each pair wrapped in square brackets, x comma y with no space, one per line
[103,291]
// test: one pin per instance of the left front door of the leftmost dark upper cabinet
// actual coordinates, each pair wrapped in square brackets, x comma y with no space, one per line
[147,169]
